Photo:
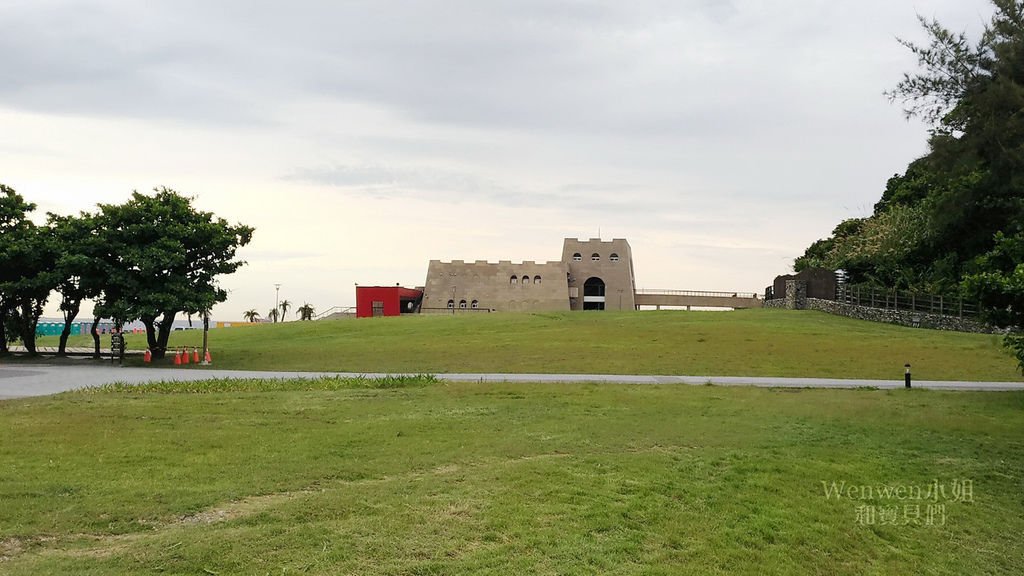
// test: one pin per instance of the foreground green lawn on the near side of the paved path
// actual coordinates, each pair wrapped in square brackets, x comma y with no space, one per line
[414,477]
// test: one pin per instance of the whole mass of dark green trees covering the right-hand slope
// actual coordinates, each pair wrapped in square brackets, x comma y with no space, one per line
[955,220]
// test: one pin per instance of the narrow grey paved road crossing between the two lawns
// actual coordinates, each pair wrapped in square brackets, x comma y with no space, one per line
[26,380]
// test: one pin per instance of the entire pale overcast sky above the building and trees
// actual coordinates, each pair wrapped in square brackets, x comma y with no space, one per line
[363,139]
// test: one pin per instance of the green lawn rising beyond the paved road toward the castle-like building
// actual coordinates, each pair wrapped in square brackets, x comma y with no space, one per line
[755,343]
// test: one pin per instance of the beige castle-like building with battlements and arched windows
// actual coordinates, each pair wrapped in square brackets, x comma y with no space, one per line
[592,275]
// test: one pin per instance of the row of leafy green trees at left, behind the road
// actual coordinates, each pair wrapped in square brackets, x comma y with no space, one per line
[149,260]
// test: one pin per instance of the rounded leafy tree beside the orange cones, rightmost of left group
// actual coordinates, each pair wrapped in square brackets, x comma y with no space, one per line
[164,259]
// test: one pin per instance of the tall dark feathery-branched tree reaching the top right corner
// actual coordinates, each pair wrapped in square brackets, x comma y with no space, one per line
[973,95]
